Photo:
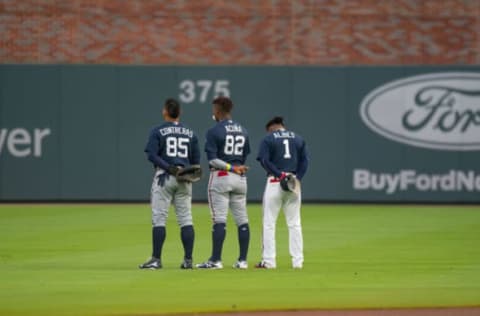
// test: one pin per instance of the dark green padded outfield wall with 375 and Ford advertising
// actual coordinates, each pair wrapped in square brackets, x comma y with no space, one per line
[374,133]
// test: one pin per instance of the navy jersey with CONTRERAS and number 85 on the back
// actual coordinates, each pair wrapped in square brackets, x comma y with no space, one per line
[172,144]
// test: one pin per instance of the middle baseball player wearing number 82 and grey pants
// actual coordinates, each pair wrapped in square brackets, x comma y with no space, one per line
[227,146]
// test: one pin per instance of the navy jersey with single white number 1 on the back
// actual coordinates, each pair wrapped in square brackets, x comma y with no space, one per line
[283,151]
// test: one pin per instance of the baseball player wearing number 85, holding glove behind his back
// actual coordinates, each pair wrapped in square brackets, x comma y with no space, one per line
[171,147]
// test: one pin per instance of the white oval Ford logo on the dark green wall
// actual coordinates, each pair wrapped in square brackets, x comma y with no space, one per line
[438,111]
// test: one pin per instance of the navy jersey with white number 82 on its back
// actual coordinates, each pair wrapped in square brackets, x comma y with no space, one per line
[228,141]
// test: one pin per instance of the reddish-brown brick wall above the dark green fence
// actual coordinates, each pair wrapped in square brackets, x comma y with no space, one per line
[281,32]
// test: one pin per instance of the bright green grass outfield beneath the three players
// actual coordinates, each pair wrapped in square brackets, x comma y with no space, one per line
[82,260]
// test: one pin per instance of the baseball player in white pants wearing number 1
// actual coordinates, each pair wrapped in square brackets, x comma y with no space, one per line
[283,154]
